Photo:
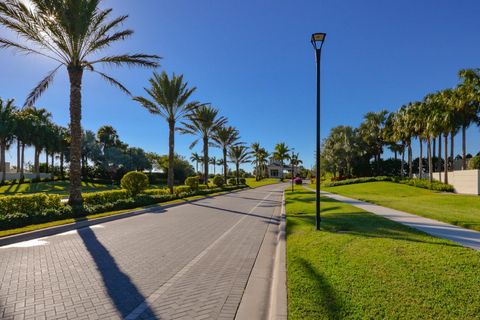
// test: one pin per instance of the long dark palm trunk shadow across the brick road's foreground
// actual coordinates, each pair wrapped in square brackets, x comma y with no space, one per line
[121,290]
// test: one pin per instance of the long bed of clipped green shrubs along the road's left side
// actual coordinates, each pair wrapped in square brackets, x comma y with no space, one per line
[22,210]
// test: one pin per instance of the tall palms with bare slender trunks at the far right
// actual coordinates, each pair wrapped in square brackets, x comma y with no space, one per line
[439,116]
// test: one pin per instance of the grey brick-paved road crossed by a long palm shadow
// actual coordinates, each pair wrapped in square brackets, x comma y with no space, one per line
[187,262]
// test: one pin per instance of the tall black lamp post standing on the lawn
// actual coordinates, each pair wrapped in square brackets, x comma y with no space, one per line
[317,42]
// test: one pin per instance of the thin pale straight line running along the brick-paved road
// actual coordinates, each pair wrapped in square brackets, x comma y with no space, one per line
[161,290]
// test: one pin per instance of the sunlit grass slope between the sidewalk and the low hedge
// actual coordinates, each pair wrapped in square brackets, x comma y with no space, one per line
[460,210]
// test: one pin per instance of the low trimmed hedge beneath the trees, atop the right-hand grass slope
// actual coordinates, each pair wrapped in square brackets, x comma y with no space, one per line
[419,183]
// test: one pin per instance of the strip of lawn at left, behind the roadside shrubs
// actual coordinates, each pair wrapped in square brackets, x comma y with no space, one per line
[57,187]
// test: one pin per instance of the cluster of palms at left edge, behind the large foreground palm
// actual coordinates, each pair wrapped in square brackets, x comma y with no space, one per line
[30,126]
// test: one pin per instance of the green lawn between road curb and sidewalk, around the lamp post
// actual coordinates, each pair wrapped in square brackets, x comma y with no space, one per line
[361,266]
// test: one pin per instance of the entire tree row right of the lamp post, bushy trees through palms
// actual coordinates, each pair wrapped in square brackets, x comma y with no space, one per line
[434,121]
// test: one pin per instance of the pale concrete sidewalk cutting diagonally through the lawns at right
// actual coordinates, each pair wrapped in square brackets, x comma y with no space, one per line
[465,237]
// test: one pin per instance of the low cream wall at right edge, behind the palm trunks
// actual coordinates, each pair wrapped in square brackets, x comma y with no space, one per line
[464,181]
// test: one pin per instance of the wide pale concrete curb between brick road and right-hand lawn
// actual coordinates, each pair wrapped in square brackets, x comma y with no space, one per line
[265,296]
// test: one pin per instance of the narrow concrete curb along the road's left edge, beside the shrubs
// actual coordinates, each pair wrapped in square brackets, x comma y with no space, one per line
[51,231]
